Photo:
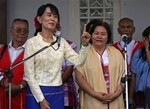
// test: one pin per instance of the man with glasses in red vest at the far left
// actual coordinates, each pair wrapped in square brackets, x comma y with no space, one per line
[13,54]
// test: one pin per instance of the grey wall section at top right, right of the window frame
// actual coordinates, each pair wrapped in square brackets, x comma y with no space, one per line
[138,10]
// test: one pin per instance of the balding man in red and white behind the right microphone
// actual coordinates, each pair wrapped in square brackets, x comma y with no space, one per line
[126,27]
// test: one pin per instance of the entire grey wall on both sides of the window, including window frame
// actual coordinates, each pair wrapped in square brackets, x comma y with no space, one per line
[138,10]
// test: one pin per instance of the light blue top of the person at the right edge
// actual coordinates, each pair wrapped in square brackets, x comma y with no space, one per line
[141,69]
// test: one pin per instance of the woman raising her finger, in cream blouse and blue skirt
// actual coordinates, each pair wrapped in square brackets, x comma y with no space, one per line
[43,71]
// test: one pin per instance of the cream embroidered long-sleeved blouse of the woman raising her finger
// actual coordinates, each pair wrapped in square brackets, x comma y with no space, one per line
[44,69]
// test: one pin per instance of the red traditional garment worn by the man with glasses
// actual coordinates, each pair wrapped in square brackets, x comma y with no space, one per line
[17,102]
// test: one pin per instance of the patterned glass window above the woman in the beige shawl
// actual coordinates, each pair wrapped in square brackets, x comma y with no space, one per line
[96,9]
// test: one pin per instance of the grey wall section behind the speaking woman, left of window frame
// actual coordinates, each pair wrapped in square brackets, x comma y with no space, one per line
[28,8]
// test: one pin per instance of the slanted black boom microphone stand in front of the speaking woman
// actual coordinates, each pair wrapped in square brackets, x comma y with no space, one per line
[9,73]
